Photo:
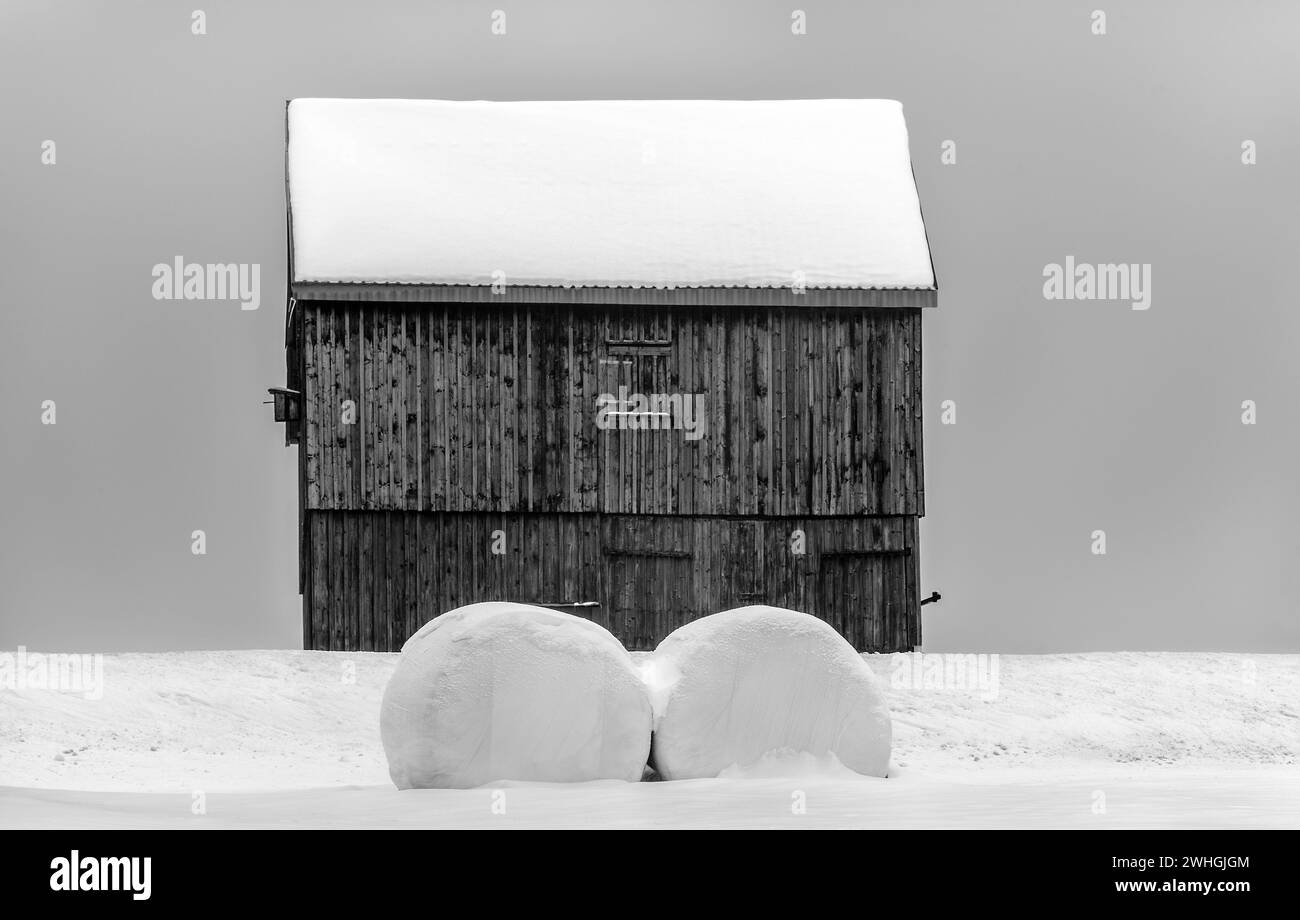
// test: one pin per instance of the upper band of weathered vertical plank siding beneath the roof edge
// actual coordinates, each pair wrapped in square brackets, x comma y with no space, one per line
[492,407]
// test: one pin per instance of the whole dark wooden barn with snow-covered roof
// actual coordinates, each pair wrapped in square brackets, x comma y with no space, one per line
[636,361]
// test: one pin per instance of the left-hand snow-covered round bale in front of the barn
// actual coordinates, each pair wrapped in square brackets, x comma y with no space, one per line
[513,692]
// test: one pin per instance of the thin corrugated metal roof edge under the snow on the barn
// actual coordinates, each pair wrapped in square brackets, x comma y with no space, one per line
[660,297]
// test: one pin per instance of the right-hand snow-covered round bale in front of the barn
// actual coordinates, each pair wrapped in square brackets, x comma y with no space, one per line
[735,687]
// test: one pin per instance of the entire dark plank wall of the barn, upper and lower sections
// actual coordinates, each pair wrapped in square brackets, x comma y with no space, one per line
[474,419]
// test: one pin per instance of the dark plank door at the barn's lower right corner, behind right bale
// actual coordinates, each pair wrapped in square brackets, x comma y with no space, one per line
[863,594]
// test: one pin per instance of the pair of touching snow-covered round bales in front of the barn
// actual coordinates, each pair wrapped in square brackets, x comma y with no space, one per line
[512,692]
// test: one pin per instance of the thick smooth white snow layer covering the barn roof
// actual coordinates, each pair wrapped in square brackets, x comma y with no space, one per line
[593,194]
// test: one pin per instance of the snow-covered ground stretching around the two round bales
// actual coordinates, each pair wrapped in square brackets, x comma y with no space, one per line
[292,739]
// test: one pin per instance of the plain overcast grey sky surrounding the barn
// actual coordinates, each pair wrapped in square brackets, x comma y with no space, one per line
[1072,416]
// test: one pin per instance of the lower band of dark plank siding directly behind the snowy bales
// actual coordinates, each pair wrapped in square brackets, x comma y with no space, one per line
[374,579]
